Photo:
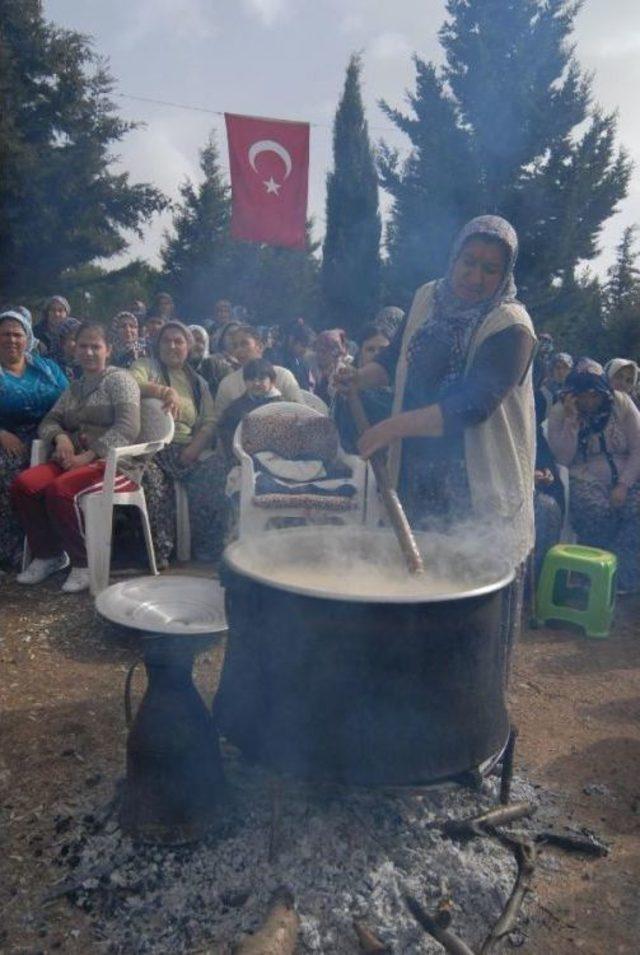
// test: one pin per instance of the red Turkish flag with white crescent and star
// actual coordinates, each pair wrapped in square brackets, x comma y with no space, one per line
[269,161]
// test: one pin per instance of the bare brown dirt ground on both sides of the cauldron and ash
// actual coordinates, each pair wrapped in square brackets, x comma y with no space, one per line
[576,703]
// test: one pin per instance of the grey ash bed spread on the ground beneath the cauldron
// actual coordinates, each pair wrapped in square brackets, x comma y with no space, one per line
[345,855]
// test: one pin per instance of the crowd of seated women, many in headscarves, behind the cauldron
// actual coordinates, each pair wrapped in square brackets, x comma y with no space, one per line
[78,386]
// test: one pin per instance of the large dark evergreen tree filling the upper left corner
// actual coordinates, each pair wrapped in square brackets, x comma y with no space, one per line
[61,203]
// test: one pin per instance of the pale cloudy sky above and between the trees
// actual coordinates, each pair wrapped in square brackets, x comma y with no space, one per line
[286,59]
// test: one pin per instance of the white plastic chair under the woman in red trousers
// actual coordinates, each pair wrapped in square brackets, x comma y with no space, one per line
[156,431]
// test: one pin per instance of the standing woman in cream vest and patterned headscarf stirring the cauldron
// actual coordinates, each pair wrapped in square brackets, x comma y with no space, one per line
[461,435]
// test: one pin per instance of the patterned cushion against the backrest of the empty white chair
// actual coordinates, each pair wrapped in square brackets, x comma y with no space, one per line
[291,436]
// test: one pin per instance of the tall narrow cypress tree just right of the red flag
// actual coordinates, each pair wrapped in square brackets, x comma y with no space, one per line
[351,250]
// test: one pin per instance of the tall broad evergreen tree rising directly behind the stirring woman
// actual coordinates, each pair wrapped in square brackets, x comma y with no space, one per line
[532,149]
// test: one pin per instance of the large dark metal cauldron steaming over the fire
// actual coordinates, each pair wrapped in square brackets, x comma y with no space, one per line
[359,688]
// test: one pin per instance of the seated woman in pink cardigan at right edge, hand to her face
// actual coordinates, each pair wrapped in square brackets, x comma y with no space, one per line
[595,432]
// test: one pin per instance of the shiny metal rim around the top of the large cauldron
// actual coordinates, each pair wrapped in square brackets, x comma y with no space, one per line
[235,550]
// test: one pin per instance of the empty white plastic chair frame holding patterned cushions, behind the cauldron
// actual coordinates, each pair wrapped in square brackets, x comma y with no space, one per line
[254,518]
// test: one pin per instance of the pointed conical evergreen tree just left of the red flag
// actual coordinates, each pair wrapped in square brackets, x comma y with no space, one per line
[197,256]
